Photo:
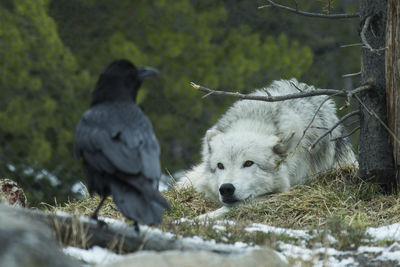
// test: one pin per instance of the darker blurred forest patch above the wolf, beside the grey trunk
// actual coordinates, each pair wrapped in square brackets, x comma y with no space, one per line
[324,37]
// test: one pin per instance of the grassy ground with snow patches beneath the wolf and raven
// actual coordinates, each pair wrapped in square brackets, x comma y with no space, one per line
[335,220]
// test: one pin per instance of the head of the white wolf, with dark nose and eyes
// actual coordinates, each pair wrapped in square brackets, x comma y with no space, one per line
[246,164]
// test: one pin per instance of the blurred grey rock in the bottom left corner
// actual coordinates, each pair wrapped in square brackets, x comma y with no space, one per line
[28,243]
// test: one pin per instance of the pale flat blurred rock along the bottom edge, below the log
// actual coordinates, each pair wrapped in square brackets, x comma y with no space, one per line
[175,258]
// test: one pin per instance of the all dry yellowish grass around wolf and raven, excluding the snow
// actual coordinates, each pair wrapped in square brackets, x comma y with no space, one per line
[336,201]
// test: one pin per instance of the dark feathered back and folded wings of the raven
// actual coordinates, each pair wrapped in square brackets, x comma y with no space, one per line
[118,137]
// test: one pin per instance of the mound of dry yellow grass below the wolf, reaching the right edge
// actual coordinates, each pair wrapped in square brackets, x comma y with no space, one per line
[337,194]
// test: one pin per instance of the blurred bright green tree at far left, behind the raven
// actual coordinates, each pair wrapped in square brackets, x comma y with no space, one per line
[40,101]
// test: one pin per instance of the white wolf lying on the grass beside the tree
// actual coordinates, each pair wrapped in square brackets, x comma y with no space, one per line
[257,148]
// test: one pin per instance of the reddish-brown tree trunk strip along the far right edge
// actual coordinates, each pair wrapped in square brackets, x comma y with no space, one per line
[393,77]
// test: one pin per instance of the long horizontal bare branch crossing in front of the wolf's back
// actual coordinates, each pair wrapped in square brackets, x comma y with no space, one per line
[270,98]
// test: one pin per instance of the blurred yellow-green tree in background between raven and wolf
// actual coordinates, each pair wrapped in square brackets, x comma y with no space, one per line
[187,41]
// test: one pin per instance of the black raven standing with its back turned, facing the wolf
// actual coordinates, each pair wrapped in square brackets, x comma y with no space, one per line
[117,145]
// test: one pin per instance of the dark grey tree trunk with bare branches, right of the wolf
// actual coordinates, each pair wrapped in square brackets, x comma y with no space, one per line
[375,157]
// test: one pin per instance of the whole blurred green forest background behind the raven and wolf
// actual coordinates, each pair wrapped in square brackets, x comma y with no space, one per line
[52,52]
